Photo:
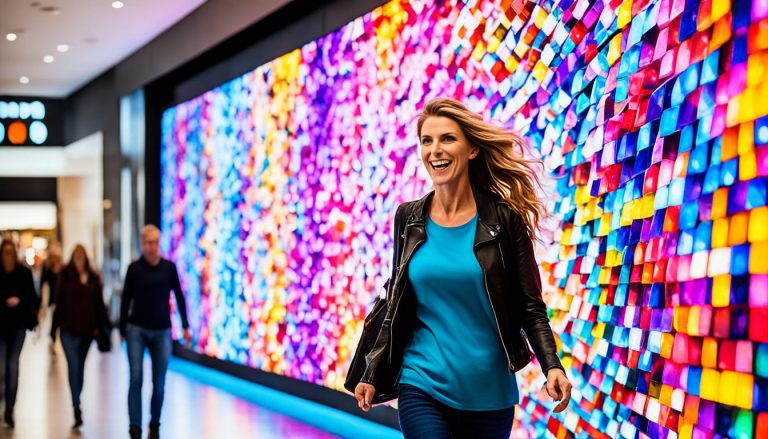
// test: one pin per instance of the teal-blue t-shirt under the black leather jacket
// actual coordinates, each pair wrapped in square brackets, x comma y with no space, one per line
[456,353]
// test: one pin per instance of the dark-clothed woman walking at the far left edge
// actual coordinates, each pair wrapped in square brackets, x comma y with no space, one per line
[18,313]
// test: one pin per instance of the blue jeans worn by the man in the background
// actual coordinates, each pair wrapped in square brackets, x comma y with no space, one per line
[158,341]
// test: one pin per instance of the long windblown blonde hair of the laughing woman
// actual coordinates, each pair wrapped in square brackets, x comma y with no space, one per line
[501,167]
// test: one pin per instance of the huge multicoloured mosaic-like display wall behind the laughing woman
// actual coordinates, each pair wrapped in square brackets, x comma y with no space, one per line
[279,190]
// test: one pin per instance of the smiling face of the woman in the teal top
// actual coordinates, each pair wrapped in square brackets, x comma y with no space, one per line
[445,151]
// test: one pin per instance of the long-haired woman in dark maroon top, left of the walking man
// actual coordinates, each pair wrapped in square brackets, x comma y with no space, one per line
[80,314]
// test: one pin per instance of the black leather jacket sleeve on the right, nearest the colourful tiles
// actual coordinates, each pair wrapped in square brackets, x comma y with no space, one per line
[534,318]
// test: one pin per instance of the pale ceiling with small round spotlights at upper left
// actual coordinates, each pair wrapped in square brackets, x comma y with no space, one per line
[98,35]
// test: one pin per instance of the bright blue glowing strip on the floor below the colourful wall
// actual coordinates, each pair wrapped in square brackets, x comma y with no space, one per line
[312,413]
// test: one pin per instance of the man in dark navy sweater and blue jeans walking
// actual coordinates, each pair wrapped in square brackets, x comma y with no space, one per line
[145,323]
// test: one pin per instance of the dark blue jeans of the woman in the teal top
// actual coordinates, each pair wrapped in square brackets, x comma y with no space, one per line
[423,416]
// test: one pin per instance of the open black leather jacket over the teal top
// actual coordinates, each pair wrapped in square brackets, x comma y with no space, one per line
[505,252]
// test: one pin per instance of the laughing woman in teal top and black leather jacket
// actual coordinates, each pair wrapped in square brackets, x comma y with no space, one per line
[466,290]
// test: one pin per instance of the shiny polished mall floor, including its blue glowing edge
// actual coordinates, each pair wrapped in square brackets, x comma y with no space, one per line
[198,403]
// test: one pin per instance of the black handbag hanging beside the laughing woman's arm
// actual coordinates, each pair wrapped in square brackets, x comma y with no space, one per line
[385,391]
